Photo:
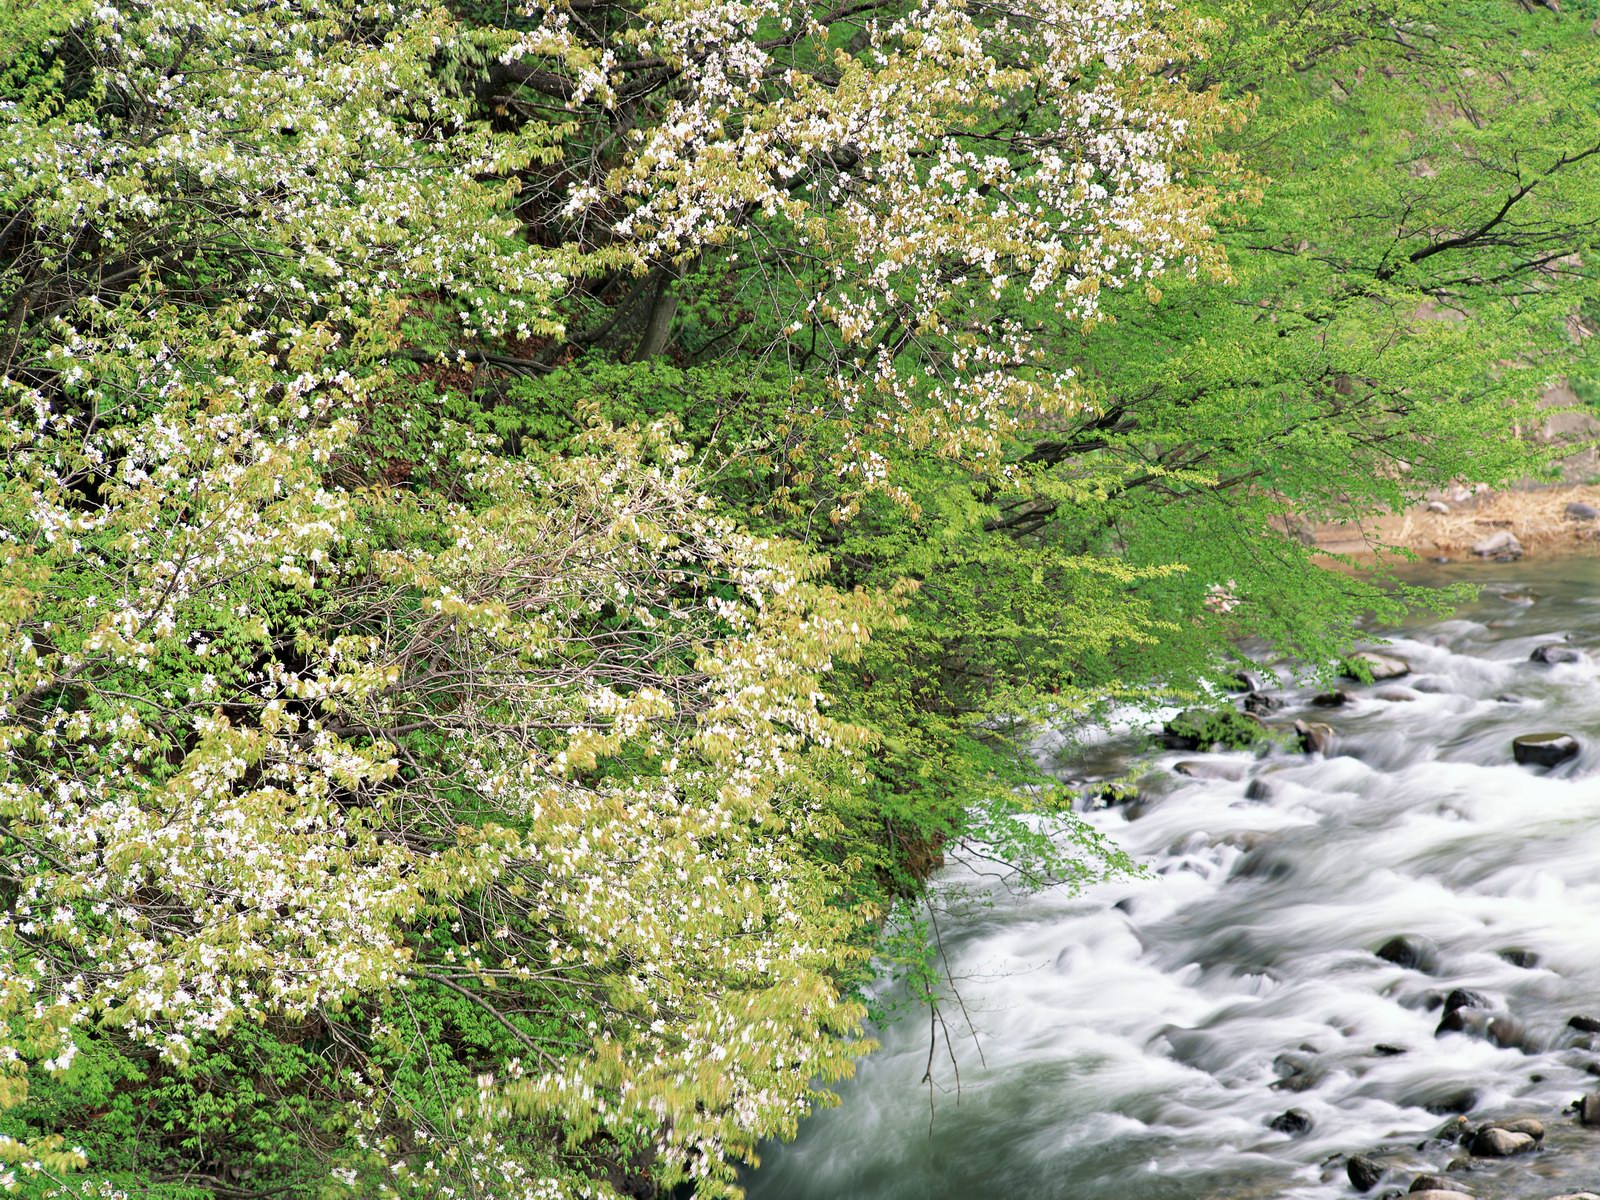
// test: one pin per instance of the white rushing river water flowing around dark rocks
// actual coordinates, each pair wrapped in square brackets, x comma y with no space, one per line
[1138,1041]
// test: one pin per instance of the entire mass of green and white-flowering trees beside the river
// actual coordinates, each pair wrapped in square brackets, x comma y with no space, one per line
[526,529]
